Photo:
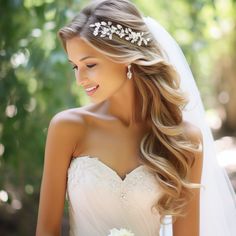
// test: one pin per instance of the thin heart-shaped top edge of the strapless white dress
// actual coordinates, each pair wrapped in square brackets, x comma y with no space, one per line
[110,169]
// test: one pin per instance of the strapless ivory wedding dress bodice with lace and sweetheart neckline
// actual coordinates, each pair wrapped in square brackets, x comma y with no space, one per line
[100,200]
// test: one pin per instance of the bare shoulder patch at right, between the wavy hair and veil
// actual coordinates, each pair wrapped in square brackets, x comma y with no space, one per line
[193,132]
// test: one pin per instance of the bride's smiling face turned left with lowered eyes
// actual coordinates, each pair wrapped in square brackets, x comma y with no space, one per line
[96,70]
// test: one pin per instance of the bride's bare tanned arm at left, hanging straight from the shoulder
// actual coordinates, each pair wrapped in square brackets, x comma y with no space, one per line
[63,136]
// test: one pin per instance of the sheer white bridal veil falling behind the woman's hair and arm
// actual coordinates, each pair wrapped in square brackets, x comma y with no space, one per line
[217,199]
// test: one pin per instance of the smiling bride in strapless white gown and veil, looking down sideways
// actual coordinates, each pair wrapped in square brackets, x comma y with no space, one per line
[138,156]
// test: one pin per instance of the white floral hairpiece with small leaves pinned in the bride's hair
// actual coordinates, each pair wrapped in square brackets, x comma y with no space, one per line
[107,29]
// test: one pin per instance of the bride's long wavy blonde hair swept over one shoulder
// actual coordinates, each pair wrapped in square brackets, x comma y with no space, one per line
[165,149]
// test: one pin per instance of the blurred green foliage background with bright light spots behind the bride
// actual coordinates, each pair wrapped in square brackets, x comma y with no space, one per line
[36,82]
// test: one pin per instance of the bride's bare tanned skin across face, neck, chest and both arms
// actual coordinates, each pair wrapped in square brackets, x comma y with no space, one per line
[104,129]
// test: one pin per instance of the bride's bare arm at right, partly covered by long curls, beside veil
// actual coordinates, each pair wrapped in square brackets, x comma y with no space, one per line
[190,224]
